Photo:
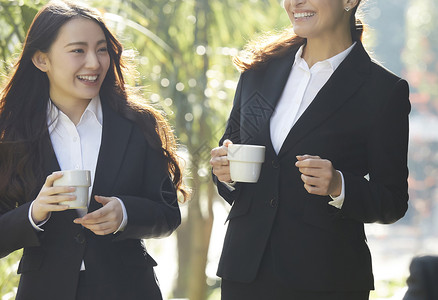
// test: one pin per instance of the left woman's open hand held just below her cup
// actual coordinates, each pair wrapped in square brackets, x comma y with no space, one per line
[106,219]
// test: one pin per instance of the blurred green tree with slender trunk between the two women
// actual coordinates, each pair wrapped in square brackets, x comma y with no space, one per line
[187,68]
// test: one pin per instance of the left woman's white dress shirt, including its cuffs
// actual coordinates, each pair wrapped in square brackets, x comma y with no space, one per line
[77,146]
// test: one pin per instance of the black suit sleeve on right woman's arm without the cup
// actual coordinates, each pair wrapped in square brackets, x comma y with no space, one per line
[383,198]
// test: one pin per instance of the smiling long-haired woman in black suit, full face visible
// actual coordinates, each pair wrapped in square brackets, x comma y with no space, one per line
[66,107]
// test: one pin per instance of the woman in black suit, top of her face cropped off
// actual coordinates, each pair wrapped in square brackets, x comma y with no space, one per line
[328,116]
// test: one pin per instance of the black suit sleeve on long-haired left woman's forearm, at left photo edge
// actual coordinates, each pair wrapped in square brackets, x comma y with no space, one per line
[16,231]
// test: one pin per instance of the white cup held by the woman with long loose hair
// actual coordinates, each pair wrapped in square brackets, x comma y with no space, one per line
[81,180]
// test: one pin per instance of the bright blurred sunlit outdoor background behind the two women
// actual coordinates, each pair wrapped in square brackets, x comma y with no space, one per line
[182,50]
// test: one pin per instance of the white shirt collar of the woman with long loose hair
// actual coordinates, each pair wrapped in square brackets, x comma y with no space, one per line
[94,109]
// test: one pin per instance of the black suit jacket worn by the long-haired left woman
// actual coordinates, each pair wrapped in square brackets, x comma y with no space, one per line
[128,168]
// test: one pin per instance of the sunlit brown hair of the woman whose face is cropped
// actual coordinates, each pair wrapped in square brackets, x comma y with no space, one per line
[260,51]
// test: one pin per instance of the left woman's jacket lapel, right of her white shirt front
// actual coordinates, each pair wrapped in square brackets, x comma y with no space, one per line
[115,137]
